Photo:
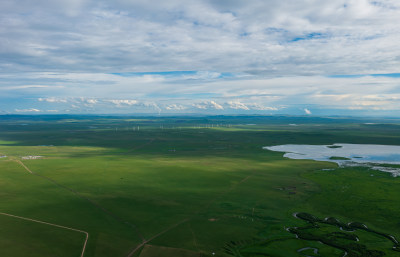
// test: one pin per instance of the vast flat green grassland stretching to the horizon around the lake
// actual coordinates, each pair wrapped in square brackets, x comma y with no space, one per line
[194,184]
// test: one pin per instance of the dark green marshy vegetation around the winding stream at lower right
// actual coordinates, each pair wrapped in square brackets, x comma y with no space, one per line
[348,238]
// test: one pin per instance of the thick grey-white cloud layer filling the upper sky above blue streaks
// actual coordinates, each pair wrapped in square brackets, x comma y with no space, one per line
[275,37]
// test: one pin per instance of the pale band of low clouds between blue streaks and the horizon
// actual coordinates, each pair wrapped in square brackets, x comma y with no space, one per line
[248,94]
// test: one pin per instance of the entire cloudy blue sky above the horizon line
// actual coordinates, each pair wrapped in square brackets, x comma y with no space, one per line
[268,57]
